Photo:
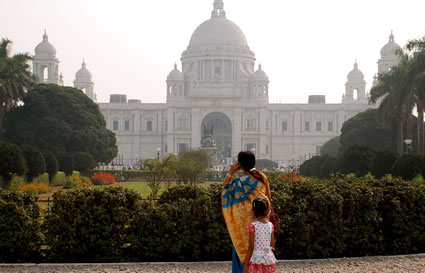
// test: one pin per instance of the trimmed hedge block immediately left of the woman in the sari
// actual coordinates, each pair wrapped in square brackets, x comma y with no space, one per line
[189,222]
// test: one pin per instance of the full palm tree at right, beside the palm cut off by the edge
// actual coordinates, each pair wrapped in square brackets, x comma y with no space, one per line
[394,90]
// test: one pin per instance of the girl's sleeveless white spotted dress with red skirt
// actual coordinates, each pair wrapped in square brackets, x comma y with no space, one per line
[262,259]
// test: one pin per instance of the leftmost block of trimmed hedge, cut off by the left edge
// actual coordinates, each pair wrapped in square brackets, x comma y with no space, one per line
[19,228]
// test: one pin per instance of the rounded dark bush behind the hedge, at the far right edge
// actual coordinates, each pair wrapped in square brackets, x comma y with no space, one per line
[408,166]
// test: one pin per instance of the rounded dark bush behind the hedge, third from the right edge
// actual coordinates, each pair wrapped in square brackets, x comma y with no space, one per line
[357,159]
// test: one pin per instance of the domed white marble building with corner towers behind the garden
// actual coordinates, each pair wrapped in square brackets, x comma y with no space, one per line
[220,98]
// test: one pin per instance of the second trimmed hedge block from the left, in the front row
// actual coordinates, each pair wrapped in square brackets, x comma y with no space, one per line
[91,224]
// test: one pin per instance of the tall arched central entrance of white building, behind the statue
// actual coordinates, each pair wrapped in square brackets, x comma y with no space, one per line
[220,126]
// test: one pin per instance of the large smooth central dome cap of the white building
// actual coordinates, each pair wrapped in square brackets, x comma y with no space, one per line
[218,31]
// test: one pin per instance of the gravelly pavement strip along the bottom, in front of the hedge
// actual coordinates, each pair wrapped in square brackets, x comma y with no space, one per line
[408,263]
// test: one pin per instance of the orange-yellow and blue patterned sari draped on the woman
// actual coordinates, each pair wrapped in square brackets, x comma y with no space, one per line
[236,201]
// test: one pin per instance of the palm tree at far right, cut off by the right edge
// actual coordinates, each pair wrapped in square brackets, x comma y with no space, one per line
[416,48]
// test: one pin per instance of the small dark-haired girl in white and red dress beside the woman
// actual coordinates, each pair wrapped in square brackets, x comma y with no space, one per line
[260,257]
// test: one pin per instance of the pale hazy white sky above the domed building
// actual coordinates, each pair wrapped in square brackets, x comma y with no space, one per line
[306,47]
